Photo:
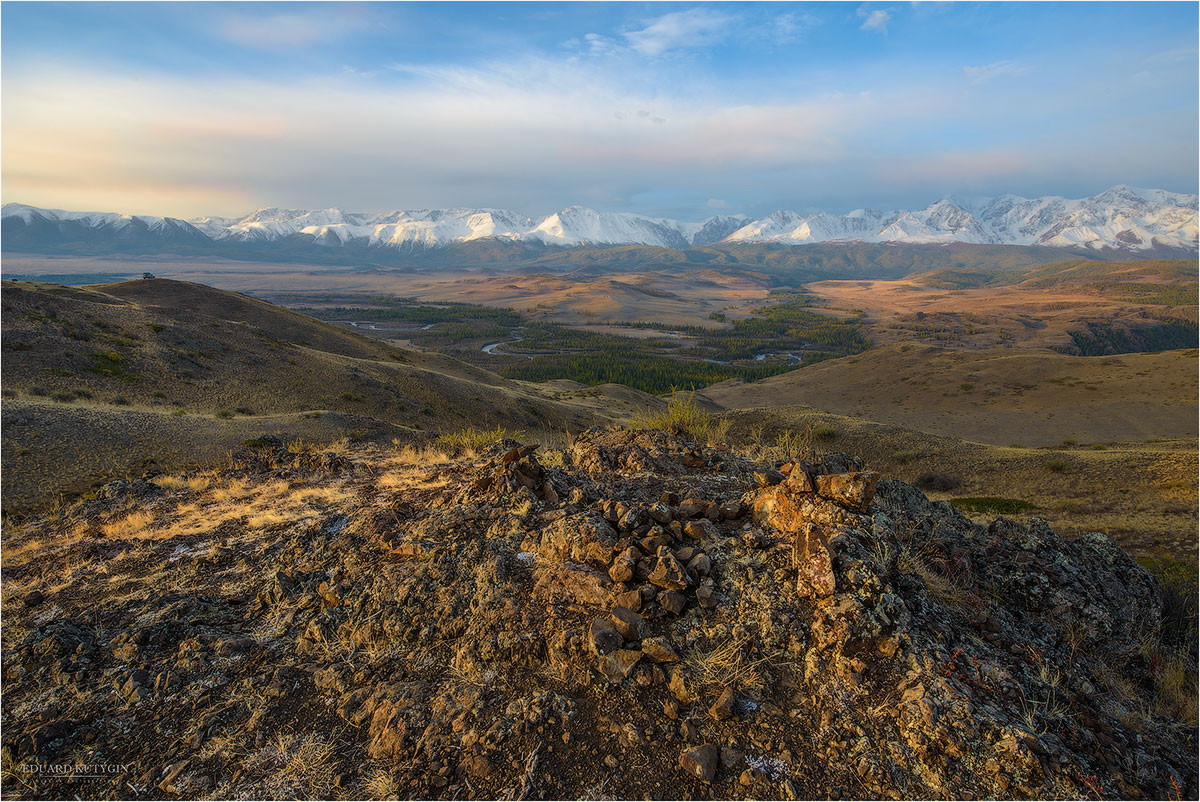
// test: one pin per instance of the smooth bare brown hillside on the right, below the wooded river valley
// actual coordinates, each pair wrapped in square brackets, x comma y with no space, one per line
[999,396]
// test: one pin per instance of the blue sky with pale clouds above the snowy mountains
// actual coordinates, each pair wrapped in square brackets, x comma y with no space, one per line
[675,110]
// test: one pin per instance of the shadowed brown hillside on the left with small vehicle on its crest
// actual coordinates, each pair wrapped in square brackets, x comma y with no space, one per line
[109,380]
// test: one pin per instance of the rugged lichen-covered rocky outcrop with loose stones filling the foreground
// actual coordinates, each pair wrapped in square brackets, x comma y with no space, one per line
[649,619]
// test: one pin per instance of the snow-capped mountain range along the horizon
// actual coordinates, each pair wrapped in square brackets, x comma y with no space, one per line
[1121,218]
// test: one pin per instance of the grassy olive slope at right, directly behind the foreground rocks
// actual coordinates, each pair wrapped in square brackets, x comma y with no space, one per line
[1144,495]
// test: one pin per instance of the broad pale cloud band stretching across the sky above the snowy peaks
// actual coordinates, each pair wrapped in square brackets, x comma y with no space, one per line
[537,135]
